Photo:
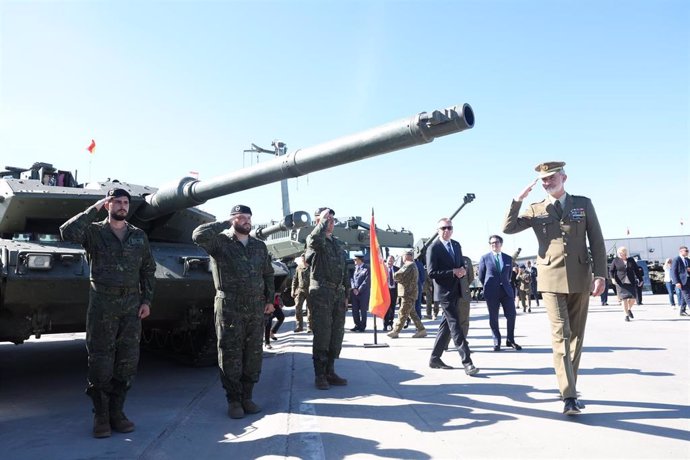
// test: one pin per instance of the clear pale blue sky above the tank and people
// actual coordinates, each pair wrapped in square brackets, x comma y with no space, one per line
[171,87]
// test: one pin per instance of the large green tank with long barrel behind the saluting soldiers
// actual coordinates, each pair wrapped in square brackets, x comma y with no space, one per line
[44,281]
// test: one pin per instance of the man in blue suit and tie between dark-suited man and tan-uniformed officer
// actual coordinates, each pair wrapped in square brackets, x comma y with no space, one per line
[494,273]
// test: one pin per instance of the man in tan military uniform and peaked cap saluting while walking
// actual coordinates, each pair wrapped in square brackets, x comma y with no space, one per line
[563,224]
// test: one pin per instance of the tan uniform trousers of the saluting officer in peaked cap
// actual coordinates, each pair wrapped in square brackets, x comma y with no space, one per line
[568,317]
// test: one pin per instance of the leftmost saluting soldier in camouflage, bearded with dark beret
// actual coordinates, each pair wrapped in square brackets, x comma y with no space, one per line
[122,280]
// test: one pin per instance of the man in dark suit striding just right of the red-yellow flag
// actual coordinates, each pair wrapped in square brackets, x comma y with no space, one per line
[445,266]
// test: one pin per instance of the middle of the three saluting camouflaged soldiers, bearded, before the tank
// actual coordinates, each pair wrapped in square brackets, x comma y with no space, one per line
[243,277]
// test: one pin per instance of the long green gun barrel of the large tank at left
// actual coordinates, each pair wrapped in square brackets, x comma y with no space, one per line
[409,132]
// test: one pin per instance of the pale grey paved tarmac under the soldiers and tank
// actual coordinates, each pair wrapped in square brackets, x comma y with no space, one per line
[634,379]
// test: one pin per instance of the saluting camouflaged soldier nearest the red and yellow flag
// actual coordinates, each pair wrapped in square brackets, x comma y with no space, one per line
[327,292]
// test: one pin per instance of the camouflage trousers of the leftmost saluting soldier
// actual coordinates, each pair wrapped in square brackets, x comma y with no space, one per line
[113,330]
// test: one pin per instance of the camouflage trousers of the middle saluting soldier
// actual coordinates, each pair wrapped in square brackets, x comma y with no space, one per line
[239,327]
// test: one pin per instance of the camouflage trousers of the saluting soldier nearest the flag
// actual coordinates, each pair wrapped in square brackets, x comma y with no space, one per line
[328,313]
